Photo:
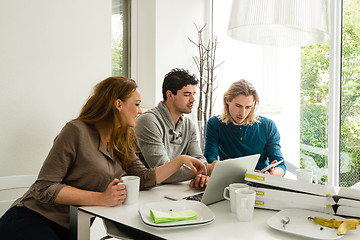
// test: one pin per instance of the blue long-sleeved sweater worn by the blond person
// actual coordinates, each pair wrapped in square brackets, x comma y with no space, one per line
[223,141]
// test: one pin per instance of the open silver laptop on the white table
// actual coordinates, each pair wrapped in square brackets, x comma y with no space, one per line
[224,173]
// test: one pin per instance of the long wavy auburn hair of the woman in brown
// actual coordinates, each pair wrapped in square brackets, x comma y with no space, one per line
[100,108]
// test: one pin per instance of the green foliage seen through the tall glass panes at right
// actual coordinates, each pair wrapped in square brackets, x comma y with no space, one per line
[314,95]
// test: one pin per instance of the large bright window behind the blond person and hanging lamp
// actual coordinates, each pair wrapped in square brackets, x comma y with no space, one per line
[296,89]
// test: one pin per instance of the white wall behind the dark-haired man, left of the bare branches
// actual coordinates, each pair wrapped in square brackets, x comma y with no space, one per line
[160,41]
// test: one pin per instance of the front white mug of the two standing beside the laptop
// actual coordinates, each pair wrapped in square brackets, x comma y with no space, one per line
[245,203]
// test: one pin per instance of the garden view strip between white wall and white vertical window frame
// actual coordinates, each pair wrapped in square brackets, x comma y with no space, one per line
[314,95]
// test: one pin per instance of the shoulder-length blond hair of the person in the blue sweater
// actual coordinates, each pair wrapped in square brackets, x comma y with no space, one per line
[245,88]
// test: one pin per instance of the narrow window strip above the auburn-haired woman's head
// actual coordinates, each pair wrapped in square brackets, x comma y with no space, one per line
[121,38]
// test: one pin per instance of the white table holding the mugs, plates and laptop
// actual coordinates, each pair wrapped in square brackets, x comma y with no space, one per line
[225,225]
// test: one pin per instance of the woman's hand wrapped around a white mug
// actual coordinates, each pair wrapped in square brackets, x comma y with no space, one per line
[114,194]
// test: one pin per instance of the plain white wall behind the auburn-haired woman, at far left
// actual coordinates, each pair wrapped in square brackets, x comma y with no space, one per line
[52,53]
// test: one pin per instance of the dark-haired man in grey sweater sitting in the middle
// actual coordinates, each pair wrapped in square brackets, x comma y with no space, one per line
[164,133]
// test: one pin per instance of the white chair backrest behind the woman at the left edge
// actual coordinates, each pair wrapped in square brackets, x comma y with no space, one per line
[12,187]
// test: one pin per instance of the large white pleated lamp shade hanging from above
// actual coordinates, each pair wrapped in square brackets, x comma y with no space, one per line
[279,22]
